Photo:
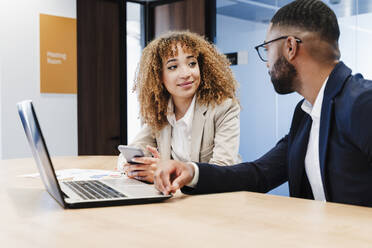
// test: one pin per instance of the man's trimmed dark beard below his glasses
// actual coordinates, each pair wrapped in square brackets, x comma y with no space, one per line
[283,76]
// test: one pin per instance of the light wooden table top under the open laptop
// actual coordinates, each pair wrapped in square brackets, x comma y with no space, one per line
[31,218]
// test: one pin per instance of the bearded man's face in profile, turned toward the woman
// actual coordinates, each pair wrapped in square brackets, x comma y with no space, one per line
[283,74]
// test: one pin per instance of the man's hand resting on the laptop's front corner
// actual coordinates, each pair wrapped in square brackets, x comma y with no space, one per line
[172,175]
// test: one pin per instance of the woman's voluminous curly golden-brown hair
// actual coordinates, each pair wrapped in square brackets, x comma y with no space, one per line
[217,80]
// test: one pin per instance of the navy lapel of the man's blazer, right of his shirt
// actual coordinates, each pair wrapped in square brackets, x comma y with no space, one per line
[335,83]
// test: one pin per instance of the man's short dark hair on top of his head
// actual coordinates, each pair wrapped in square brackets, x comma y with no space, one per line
[309,15]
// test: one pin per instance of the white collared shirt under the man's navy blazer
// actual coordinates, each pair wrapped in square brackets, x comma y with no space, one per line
[312,164]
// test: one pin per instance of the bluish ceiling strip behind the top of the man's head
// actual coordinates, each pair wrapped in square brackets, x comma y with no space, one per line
[263,10]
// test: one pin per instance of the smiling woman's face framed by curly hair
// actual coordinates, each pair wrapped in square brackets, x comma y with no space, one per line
[181,75]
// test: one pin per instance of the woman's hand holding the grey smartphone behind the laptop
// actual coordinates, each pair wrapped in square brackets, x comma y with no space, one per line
[146,168]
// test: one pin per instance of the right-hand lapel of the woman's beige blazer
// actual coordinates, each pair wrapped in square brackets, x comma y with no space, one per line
[197,130]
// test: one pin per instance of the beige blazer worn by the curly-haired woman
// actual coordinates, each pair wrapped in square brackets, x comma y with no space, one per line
[215,135]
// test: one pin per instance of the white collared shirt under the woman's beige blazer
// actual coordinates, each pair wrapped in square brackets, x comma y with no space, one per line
[181,132]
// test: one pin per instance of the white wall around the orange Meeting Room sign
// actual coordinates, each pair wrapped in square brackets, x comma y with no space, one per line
[20,79]
